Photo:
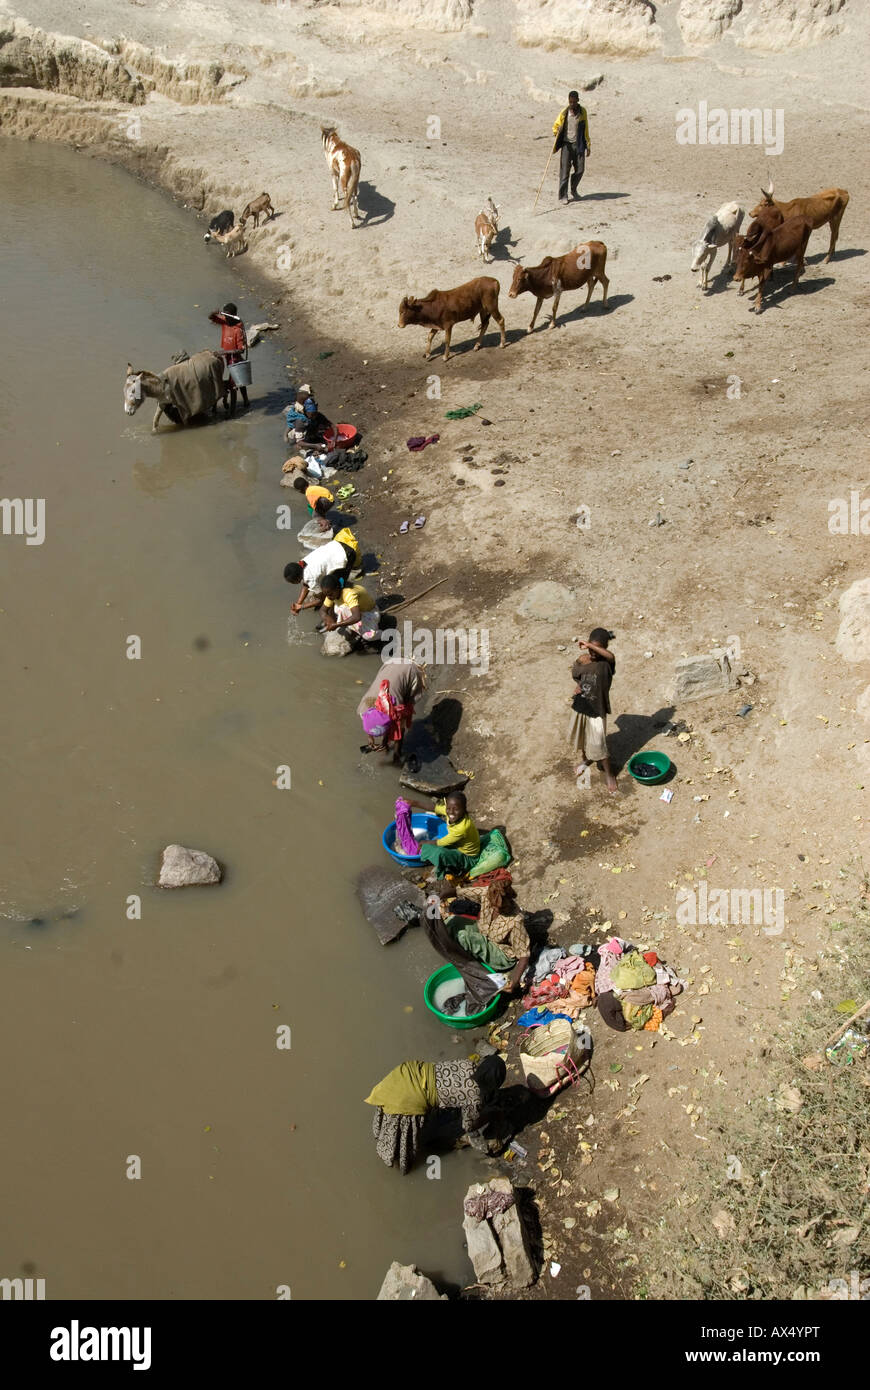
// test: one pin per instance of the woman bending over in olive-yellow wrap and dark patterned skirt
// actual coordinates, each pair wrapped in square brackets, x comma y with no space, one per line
[418,1090]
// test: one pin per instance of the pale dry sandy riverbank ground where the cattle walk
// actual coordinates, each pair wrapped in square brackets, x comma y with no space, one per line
[598,415]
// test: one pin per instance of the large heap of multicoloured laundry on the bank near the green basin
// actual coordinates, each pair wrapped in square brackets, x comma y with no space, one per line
[632,989]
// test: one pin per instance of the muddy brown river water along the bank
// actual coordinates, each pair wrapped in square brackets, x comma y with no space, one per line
[156,1038]
